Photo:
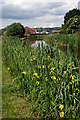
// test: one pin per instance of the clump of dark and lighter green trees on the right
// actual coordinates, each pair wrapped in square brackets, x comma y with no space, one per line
[71,22]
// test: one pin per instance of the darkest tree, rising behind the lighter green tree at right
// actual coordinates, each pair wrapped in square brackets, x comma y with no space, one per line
[70,14]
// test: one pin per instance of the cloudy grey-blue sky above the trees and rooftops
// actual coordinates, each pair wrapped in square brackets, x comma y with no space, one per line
[35,13]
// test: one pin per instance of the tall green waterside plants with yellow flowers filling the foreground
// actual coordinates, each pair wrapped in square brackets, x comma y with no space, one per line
[48,78]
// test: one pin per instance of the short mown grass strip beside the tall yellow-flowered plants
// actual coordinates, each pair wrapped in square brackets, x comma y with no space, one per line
[13,104]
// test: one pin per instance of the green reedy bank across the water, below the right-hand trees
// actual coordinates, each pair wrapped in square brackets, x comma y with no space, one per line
[71,40]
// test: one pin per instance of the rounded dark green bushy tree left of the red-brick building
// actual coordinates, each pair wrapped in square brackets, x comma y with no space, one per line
[15,29]
